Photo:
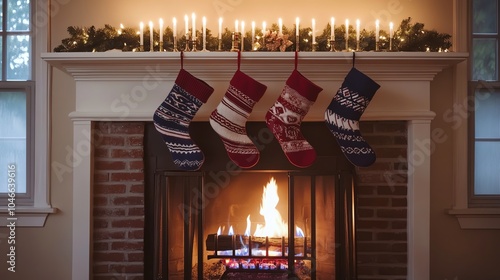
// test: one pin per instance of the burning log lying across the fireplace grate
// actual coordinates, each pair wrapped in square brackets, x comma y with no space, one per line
[236,242]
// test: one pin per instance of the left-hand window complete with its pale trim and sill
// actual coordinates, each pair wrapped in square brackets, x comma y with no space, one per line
[24,110]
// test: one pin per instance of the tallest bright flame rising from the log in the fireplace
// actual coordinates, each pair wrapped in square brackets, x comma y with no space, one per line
[274,225]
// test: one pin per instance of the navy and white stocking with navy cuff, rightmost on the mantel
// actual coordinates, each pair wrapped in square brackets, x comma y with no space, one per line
[343,114]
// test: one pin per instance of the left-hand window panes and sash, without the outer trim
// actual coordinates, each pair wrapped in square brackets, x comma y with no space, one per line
[16,99]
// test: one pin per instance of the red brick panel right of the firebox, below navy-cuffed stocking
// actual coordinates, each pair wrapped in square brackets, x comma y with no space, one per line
[382,204]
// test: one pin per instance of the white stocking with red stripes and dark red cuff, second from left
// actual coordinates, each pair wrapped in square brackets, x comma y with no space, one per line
[230,117]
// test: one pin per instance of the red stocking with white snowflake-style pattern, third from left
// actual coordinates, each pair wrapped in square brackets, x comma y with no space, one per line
[285,116]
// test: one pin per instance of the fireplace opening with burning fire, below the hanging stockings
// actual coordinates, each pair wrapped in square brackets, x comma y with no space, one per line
[274,221]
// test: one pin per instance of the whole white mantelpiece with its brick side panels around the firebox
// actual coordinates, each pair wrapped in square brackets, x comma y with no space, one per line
[116,94]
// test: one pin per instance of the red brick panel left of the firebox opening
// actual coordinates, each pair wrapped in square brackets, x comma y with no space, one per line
[118,201]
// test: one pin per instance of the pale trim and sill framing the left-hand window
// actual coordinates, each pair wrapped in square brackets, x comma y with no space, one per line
[36,214]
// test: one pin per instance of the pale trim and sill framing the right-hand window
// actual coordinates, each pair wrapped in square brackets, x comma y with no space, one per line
[468,218]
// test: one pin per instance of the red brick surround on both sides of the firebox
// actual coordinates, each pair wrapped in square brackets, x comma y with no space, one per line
[119,203]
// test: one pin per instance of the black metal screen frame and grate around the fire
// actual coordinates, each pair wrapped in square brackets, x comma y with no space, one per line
[345,228]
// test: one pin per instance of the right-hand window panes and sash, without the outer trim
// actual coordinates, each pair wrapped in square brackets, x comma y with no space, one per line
[484,189]
